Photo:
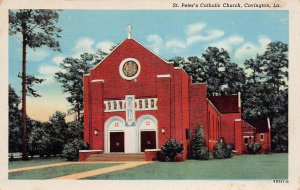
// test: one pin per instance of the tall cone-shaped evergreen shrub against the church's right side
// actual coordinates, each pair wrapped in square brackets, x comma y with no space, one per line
[199,149]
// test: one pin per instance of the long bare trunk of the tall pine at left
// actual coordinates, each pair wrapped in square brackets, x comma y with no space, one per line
[24,124]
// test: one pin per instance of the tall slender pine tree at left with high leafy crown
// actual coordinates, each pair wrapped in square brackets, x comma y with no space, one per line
[37,28]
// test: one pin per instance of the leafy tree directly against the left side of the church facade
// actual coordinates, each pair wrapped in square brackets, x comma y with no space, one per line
[71,78]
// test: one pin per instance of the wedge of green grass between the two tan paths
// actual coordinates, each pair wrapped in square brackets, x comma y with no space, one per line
[52,172]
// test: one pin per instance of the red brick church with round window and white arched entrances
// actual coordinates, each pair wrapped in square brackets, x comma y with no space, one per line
[134,100]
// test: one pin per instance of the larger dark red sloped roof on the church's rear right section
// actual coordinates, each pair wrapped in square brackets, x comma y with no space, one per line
[225,104]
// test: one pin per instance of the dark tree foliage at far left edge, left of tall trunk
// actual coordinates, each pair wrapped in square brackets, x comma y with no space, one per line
[14,121]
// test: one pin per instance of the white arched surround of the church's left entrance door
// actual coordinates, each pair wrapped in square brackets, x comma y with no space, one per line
[113,125]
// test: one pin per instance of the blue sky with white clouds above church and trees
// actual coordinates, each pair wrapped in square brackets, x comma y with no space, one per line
[168,33]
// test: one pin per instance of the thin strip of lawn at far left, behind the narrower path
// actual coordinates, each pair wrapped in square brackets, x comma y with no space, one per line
[33,162]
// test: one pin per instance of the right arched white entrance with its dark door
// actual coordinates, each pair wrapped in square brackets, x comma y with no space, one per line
[147,133]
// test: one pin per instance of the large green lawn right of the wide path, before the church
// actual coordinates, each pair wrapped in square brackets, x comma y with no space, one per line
[252,167]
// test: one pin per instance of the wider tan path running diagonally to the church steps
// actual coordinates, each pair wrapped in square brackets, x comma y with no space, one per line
[90,173]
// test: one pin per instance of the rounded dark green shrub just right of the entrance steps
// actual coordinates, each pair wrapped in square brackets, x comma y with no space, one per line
[170,149]
